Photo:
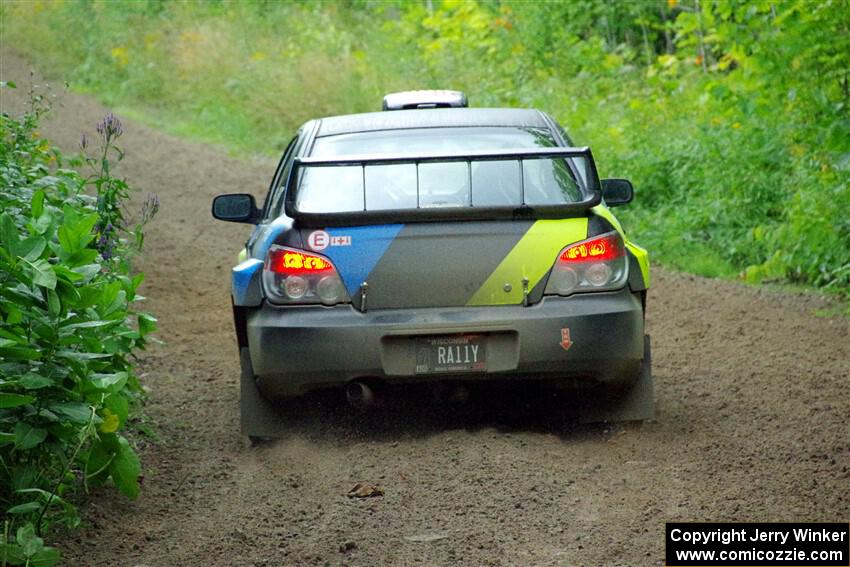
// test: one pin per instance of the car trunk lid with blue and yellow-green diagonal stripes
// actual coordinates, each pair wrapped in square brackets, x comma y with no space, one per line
[445,264]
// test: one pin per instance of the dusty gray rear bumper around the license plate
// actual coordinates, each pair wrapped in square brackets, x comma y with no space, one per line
[296,349]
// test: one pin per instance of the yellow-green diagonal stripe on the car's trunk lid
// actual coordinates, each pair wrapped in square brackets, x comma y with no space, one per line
[531,258]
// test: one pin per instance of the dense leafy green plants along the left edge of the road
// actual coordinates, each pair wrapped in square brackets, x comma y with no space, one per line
[70,330]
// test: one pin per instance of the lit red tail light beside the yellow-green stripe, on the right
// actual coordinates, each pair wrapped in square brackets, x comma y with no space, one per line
[595,264]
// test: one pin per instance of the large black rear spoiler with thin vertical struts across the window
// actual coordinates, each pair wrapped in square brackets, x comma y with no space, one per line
[590,185]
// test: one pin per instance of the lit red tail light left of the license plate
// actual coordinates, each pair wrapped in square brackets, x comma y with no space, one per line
[295,276]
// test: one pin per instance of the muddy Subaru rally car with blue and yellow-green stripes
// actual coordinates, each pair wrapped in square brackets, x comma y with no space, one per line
[436,242]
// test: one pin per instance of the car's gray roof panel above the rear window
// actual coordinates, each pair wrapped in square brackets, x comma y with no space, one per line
[431,118]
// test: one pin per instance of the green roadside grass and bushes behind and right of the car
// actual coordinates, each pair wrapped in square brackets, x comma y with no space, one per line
[732,117]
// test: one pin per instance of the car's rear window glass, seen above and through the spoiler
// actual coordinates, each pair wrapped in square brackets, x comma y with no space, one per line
[497,183]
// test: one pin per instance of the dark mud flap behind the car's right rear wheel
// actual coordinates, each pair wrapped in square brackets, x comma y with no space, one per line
[637,403]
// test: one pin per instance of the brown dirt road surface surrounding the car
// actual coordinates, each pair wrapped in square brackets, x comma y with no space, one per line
[753,422]
